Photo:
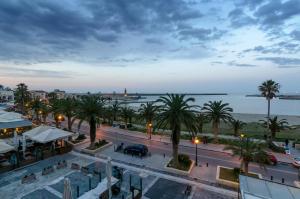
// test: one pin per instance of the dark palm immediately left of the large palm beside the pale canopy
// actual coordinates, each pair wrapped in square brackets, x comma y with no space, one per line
[68,108]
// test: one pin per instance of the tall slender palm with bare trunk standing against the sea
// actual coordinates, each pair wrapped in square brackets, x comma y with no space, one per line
[269,90]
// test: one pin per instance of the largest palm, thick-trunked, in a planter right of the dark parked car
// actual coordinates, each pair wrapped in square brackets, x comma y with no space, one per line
[175,112]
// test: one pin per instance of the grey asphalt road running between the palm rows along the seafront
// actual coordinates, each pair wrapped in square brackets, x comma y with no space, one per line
[286,171]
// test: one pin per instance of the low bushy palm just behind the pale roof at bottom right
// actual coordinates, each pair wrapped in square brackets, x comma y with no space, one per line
[249,151]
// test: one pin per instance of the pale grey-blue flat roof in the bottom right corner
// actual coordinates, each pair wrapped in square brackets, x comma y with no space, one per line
[253,188]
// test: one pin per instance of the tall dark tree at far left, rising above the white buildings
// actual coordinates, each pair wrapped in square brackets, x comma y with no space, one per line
[22,97]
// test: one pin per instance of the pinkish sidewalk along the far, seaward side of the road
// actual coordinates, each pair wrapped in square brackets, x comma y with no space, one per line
[185,143]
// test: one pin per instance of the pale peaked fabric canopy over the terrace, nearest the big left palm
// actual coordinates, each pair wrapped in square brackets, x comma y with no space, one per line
[44,134]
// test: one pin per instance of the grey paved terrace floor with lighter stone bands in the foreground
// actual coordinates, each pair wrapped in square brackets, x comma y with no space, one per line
[155,185]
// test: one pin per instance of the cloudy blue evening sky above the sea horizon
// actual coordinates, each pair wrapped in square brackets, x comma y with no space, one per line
[150,45]
